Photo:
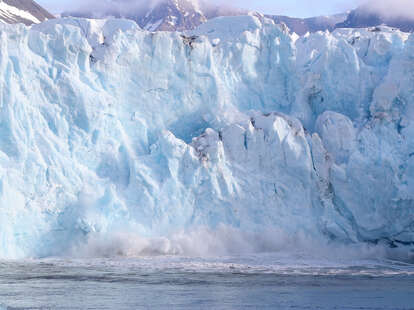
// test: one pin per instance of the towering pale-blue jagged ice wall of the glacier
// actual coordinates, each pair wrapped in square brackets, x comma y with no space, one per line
[106,129]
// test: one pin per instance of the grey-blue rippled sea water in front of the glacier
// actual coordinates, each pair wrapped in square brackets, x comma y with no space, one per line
[172,282]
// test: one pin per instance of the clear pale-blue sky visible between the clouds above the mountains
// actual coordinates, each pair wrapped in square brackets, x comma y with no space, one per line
[295,8]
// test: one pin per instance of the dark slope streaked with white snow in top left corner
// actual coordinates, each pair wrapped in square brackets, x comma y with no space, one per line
[22,11]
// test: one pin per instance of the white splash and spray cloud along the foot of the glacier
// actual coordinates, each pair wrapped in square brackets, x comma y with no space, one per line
[289,250]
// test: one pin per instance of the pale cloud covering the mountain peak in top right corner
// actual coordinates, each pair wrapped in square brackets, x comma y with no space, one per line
[392,9]
